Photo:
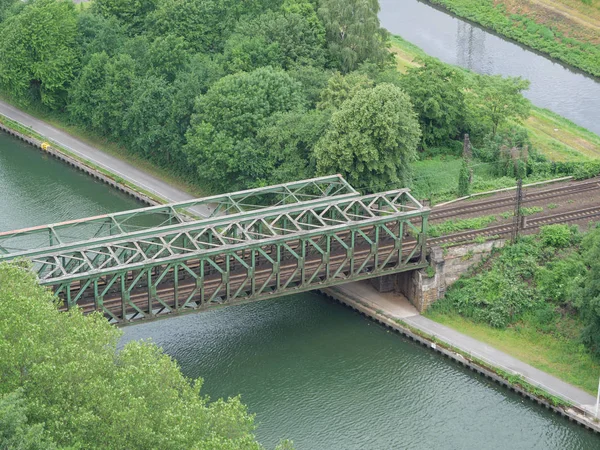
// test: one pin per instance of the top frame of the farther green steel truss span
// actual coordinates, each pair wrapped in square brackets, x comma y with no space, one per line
[111,226]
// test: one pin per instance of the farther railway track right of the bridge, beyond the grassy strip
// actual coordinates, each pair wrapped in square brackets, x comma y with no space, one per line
[508,201]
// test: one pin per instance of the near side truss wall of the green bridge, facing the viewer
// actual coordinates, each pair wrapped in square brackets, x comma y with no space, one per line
[292,264]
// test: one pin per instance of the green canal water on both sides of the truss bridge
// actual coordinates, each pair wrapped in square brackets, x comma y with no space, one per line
[310,369]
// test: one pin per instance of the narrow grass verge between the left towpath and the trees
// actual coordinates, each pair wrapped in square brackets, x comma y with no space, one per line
[60,122]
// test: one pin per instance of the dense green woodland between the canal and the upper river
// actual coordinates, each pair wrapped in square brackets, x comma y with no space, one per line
[232,95]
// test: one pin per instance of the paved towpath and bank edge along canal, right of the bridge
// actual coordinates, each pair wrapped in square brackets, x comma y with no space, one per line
[395,312]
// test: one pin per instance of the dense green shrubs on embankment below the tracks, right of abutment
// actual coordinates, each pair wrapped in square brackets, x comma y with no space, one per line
[541,280]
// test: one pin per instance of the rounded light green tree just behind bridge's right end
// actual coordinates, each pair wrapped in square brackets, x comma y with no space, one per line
[372,139]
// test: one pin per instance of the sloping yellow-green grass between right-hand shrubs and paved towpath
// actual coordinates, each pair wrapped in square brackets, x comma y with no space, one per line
[565,359]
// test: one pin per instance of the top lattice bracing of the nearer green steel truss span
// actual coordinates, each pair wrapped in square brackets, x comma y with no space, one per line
[212,239]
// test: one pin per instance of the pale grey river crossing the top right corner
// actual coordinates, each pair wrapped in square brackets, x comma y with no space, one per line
[560,89]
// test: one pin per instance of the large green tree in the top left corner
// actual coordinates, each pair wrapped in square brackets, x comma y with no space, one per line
[38,52]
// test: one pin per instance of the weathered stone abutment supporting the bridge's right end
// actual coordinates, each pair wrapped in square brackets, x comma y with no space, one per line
[424,287]
